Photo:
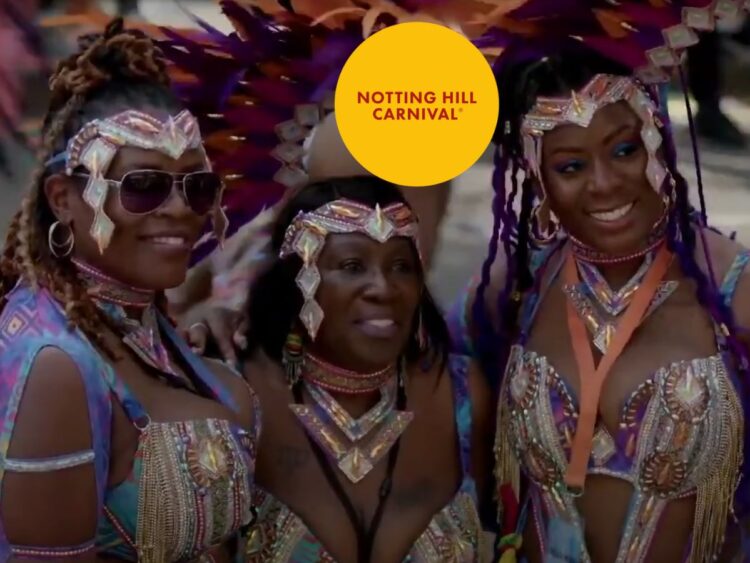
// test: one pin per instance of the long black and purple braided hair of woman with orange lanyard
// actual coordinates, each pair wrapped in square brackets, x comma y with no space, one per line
[521,83]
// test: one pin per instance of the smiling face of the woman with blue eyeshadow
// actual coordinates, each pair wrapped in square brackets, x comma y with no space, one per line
[595,177]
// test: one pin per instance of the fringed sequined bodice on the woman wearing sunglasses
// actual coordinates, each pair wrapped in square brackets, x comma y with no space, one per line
[190,483]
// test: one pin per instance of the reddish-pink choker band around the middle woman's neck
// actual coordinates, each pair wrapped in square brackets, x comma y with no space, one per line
[344,381]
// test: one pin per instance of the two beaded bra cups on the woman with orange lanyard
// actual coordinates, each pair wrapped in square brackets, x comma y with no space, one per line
[677,410]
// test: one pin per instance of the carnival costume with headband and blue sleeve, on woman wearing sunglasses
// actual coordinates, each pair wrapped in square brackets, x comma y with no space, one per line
[190,485]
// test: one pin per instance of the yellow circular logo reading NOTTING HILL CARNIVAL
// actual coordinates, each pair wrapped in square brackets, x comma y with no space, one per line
[416,104]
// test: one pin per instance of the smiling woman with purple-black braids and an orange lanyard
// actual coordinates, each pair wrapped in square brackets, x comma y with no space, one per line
[620,429]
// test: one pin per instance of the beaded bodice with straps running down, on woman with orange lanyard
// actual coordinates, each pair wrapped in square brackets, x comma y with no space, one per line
[672,436]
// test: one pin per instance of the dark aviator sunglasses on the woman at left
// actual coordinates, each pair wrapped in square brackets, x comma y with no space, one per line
[145,191]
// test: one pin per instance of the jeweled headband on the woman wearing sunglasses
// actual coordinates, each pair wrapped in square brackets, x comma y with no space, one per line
[94,147]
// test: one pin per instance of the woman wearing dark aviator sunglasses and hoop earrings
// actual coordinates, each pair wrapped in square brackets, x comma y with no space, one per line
[117,443]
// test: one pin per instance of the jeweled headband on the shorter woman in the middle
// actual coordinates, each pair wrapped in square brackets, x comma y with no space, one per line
[307,233]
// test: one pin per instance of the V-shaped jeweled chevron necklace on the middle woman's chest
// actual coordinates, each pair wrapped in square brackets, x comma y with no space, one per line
[355,445]
